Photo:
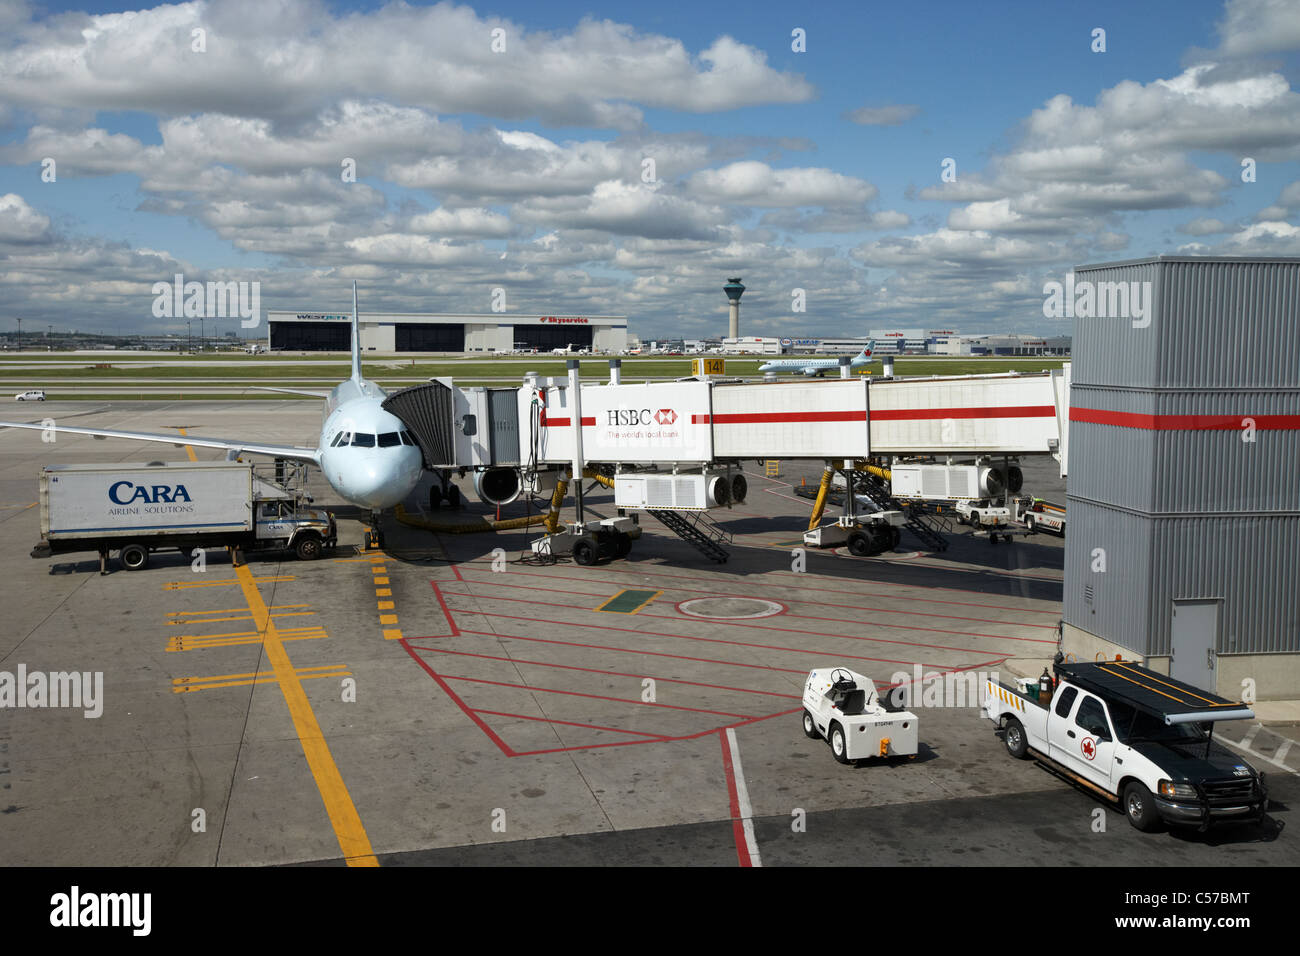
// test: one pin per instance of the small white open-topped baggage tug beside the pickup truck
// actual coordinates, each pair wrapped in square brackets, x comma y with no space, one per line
[844,708]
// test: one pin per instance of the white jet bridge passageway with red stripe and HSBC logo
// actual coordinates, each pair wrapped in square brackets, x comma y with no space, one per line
[696,423]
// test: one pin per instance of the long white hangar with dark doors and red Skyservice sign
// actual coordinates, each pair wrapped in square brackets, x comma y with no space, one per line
[435,332]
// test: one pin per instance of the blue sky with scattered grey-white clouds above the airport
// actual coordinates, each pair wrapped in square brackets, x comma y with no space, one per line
[522,168]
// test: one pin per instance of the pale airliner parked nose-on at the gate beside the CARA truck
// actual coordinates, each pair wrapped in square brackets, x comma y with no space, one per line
[366,453]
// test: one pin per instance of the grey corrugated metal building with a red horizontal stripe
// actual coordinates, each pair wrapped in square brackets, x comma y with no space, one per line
[1185,470]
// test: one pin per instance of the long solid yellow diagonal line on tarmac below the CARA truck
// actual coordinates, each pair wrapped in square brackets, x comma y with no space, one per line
[339,803]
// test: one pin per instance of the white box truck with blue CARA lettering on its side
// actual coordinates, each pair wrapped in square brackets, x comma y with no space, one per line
[138,509]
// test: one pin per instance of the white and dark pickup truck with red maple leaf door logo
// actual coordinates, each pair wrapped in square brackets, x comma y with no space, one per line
[1134,737]
